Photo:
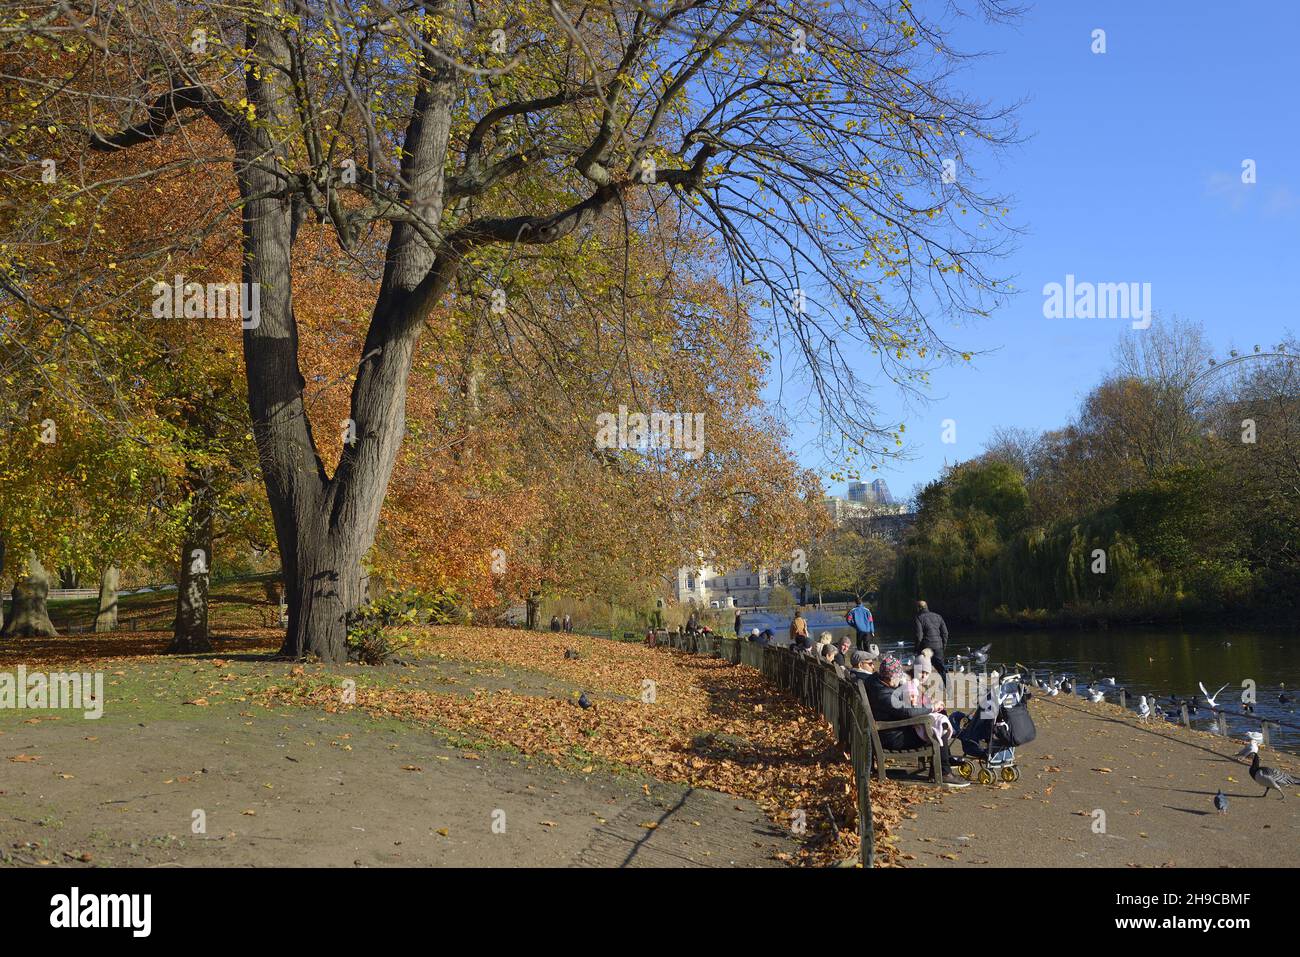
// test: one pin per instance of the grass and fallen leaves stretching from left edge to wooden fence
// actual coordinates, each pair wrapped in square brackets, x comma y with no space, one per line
[679,718]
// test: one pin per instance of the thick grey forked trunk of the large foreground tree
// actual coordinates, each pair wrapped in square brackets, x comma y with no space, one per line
[327,525]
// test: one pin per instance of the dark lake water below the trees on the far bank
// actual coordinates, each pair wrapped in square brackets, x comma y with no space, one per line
[1162,662]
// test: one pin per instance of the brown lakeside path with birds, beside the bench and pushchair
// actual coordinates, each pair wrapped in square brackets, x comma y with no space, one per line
[1154,785]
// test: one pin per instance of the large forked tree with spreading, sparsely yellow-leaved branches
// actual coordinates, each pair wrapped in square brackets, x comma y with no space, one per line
[824,150]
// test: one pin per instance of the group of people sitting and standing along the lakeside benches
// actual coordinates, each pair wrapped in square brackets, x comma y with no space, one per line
[895,692]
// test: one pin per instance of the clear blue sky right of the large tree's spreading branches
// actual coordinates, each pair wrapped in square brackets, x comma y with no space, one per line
[1130,172]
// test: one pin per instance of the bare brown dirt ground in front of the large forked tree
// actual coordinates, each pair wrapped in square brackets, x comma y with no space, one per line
[310,790]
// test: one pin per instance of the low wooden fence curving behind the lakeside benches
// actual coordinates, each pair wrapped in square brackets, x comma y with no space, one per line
[816,686]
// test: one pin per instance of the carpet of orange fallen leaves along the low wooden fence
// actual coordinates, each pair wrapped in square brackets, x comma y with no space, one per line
[678,717]
